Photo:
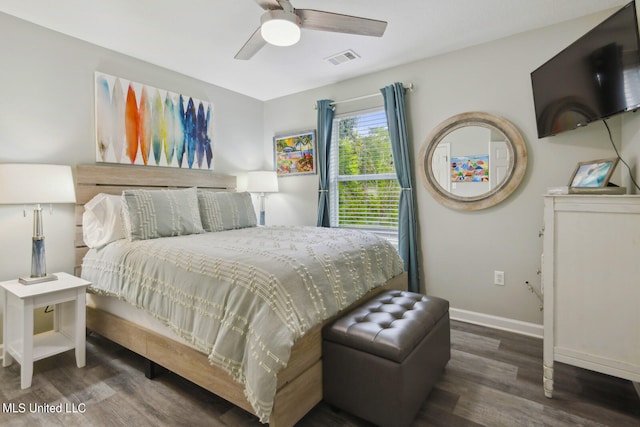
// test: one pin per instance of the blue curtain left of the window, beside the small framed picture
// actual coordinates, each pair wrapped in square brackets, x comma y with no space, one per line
[325,122]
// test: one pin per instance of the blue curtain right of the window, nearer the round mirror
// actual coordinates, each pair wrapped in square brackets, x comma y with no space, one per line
[394,106]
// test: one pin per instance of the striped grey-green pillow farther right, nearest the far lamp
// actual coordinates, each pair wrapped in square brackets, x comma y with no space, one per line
[226,210]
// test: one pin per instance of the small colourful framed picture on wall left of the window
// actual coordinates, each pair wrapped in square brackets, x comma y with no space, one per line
[295,153]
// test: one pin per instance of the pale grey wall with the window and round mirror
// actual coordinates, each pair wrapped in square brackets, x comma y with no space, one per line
[460,250]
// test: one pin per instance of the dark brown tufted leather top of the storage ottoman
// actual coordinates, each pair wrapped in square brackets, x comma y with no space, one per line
[389,325]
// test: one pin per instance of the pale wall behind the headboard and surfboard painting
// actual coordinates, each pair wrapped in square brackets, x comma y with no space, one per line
[47,116]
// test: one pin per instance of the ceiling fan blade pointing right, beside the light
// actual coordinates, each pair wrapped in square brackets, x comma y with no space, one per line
[335,22]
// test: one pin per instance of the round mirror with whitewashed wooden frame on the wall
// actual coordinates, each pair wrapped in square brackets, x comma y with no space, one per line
[473,161]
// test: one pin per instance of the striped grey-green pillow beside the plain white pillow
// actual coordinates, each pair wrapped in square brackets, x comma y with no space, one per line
[148,214]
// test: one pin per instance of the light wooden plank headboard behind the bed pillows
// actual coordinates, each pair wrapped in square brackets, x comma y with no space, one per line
[112,179]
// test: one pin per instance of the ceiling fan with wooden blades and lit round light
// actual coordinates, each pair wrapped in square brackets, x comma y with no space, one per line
[281,24]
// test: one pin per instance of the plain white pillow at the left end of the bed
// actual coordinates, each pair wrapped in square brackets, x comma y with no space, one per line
[102,220]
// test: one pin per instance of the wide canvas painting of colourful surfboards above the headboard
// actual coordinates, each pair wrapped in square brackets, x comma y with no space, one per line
[142,125]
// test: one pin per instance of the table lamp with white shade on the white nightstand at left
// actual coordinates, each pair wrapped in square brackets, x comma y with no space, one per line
[36,184]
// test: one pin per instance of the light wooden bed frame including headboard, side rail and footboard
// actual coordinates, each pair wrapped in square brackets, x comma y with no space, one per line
[299,384]
